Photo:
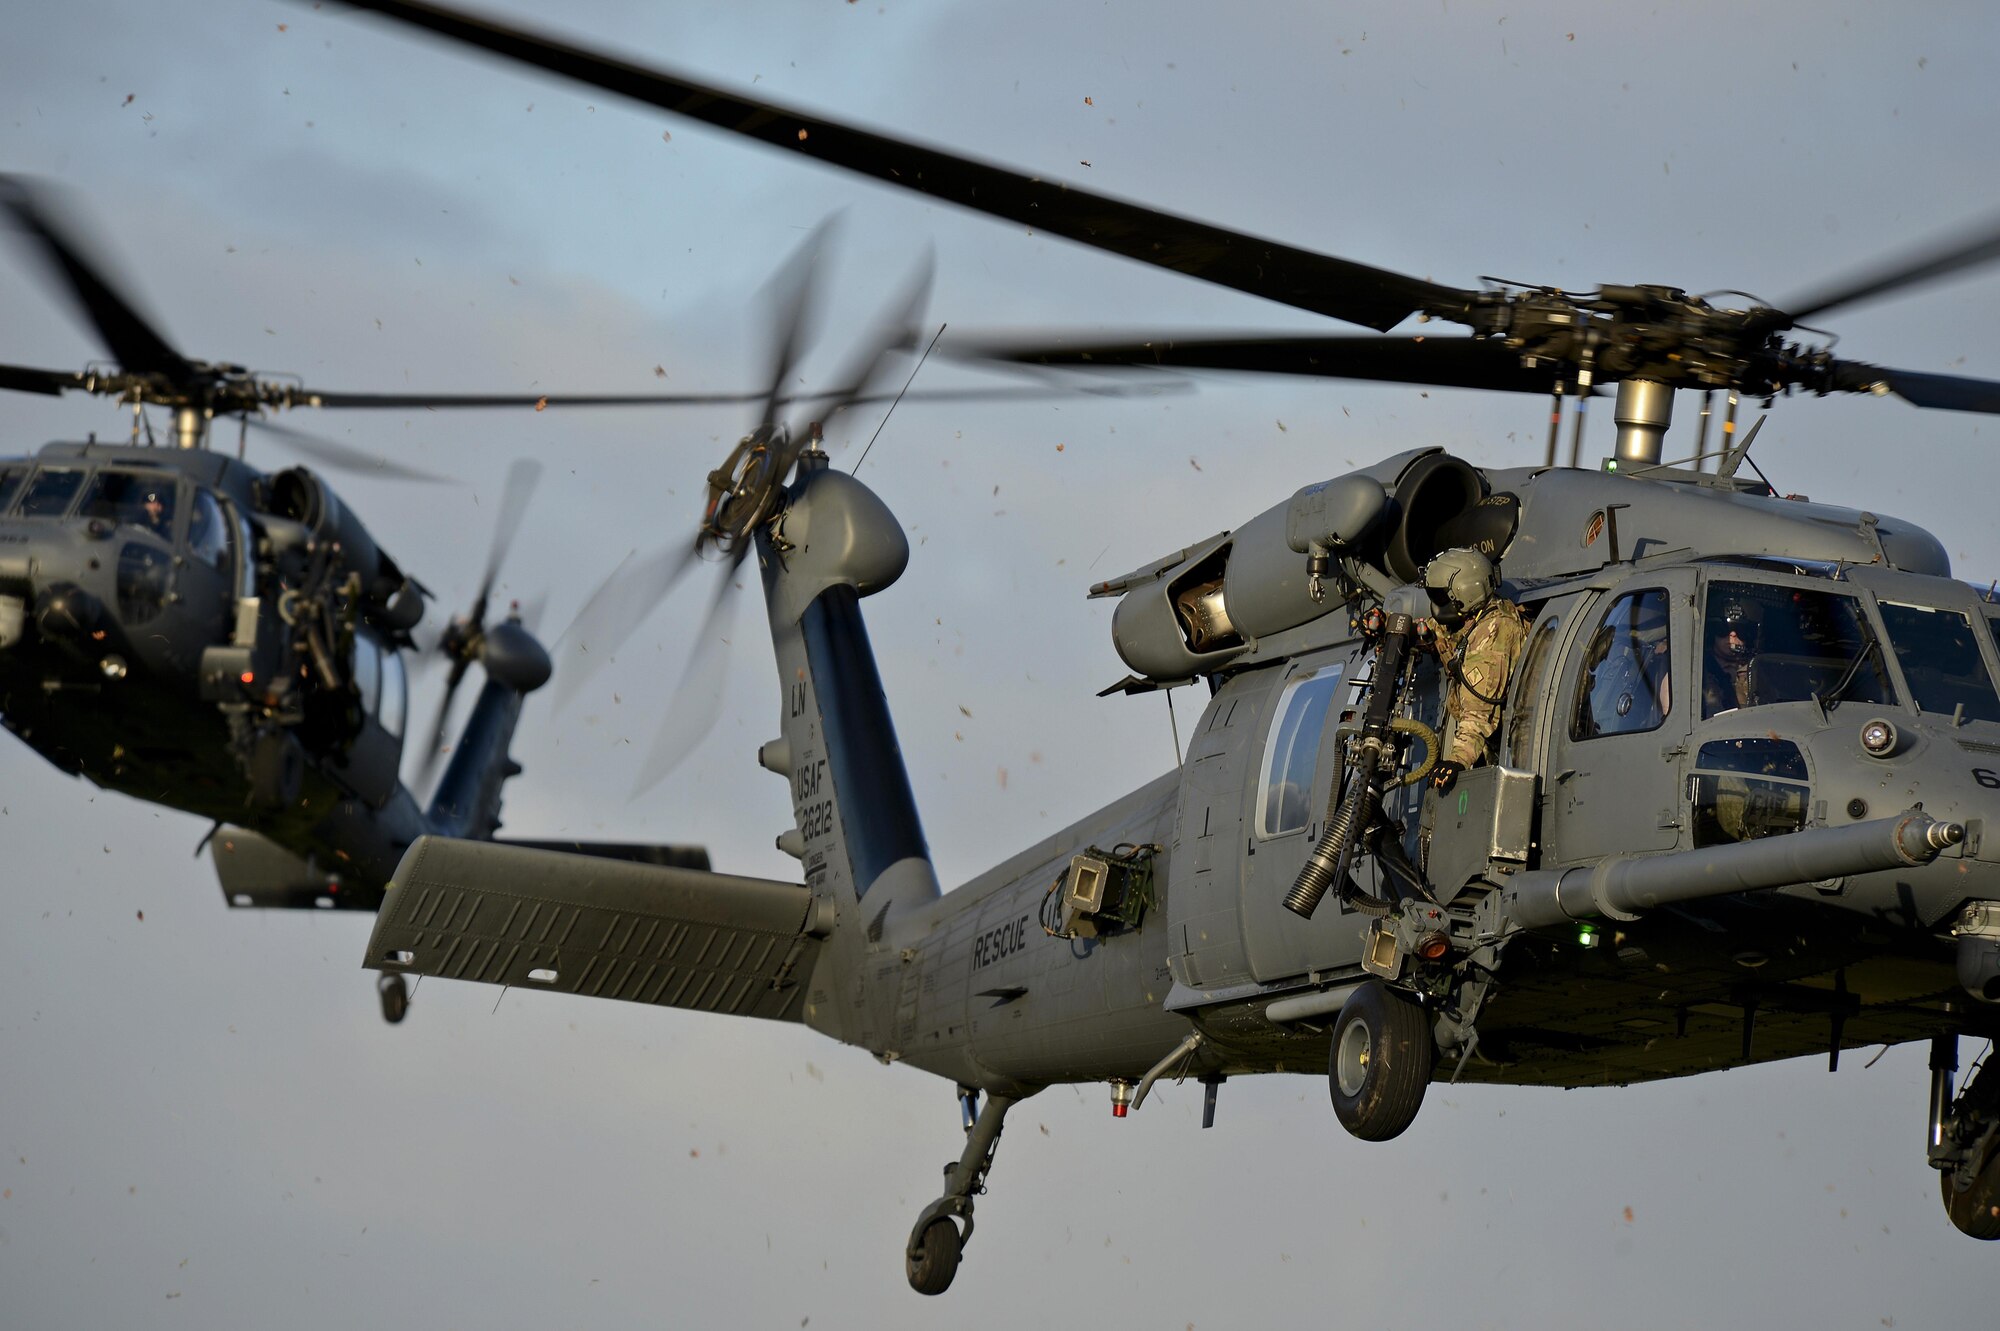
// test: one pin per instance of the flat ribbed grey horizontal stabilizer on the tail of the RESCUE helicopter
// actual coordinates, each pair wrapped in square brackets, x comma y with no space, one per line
[601,926]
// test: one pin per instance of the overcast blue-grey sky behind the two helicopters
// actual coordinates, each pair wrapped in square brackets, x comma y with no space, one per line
[205,1122]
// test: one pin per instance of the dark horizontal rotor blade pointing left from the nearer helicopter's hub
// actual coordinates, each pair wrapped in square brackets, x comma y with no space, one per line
[1447,363]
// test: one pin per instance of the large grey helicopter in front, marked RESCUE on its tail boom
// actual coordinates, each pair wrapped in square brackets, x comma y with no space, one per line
[1735,812]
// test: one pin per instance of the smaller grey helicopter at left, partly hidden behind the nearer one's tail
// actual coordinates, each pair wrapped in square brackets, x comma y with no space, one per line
[189,631]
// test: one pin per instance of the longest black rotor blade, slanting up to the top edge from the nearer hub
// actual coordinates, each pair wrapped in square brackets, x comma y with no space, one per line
[1303,279]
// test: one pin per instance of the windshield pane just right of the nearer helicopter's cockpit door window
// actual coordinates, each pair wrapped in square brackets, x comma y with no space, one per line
[1769,645]
